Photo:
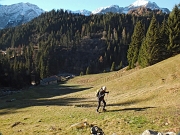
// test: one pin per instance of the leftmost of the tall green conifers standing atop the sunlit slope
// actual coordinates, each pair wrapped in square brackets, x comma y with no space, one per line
[136,41]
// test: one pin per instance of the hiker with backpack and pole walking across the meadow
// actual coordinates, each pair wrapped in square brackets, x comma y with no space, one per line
[100,96]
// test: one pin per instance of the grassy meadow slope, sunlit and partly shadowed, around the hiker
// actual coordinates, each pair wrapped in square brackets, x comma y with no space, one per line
[139,99]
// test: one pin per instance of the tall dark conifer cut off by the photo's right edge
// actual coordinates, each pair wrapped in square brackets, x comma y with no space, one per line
[174,30]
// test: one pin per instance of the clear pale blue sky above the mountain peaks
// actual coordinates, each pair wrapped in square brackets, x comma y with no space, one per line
[85,4]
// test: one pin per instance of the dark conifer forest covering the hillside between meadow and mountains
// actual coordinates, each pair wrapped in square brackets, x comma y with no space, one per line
[61,41]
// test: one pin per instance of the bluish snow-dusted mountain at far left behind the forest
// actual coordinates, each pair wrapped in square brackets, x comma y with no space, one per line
[16,14]
